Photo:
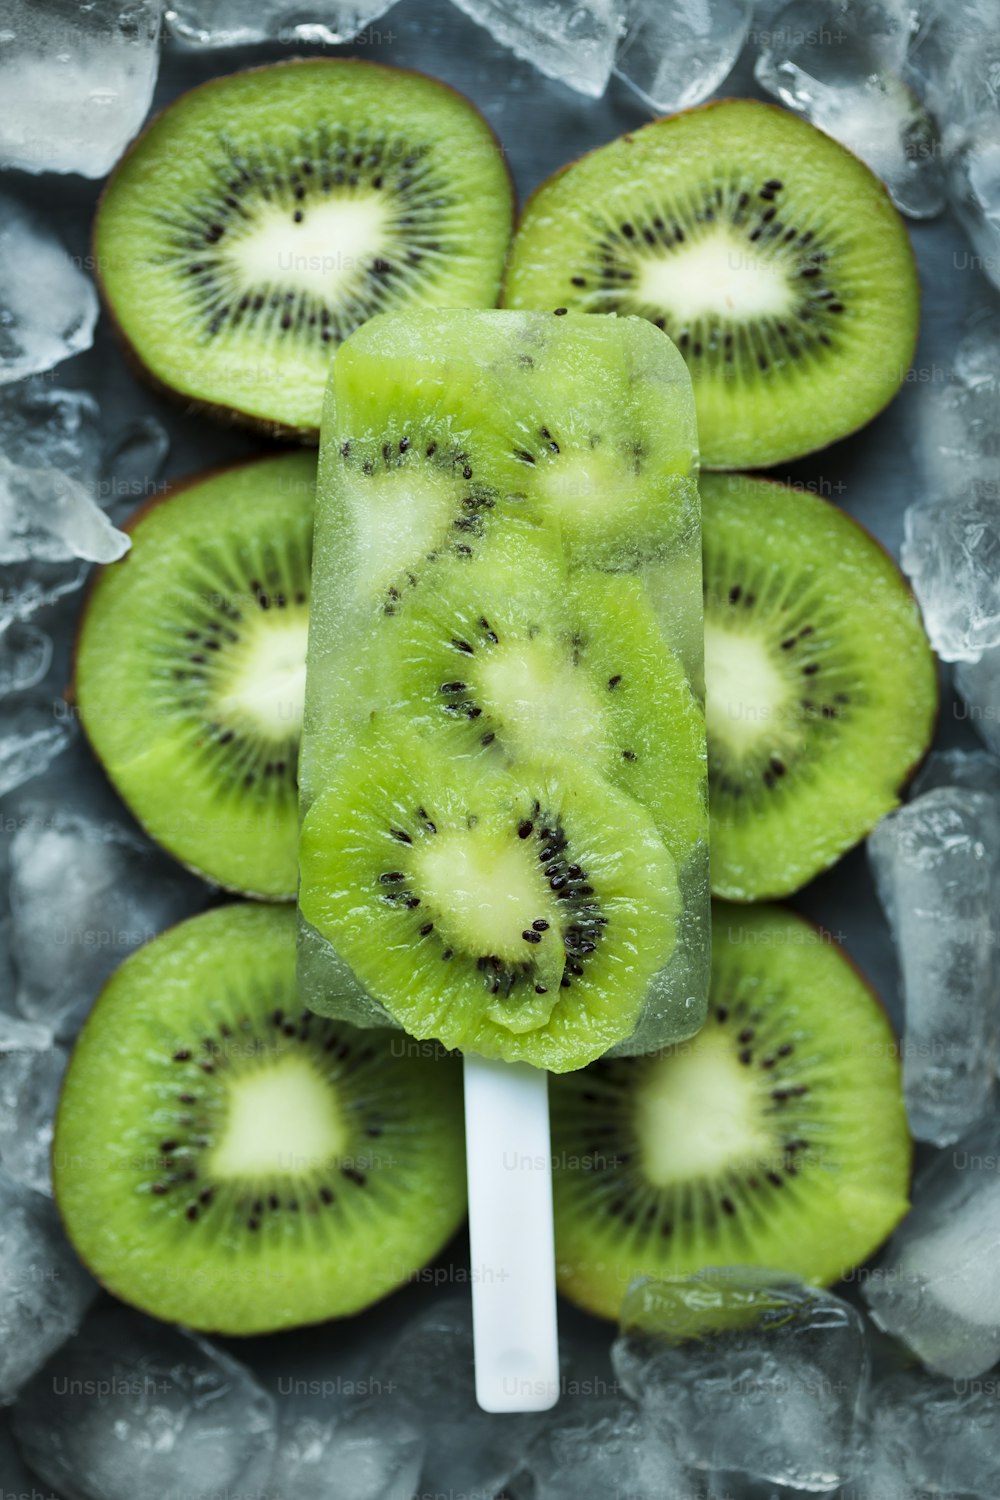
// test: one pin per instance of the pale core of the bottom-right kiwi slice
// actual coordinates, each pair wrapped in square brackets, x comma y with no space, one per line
[698,1114]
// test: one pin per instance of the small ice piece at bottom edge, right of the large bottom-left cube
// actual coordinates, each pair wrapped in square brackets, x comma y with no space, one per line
[367,1454]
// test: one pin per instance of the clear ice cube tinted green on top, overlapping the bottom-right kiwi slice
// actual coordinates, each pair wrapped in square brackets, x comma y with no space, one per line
[774,1393]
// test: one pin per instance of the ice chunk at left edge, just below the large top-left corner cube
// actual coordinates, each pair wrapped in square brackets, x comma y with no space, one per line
[49,308]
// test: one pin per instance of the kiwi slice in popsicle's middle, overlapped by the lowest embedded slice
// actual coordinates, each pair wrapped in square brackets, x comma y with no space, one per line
[500,653]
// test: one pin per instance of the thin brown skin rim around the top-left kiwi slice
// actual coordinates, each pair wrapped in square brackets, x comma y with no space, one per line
[218,412]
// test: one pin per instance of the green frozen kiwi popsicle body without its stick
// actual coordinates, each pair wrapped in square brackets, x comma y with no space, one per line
[503,770]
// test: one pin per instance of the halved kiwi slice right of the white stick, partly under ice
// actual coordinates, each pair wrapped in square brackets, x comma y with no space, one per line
[776,1138]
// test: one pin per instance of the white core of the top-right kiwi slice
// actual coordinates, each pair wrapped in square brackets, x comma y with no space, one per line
[717,274]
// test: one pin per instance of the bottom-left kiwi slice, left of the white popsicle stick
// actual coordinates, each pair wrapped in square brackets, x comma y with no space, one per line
[227,1160]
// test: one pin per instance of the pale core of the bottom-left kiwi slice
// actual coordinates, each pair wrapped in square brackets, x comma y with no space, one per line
[281,1120]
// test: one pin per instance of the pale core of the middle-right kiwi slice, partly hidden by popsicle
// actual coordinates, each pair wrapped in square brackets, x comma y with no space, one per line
[747,698]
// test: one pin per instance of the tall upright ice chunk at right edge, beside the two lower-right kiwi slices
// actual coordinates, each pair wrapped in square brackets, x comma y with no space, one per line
[938,871]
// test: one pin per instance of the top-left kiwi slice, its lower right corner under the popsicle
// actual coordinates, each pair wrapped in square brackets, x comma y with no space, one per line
[263,217]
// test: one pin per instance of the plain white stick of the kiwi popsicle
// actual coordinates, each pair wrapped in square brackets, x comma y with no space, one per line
[509,1162]
